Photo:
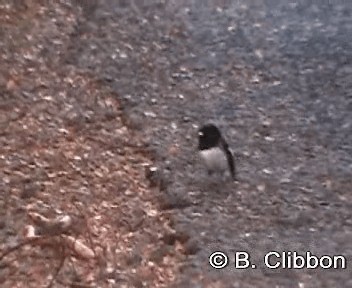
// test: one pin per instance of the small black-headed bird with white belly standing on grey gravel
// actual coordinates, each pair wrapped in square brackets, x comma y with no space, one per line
[215,151]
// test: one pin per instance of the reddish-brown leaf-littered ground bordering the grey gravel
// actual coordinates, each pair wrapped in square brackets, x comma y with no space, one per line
[66,150]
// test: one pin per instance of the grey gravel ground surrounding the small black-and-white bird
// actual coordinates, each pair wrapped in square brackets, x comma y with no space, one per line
[277,79]
